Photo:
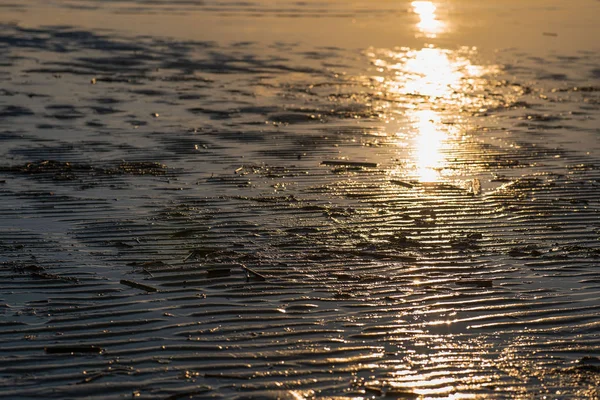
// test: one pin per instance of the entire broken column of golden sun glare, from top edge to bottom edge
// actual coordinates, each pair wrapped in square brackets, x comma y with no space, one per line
[429,96]
